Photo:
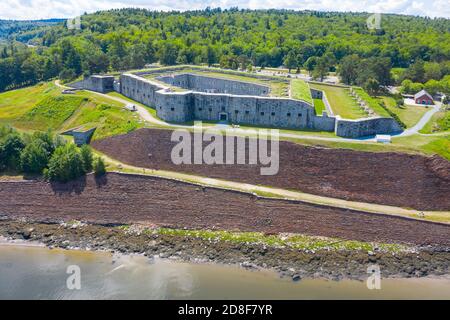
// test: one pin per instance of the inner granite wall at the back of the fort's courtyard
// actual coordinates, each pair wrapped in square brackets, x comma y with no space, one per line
[201,83]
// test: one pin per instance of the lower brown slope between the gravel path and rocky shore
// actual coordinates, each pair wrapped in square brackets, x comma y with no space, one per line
[125,199]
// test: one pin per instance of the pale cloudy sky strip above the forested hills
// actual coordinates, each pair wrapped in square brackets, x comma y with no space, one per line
[42,9]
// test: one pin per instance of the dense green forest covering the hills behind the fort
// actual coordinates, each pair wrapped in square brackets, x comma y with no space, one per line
[319,42]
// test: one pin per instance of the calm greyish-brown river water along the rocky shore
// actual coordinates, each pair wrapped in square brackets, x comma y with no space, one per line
[35,272]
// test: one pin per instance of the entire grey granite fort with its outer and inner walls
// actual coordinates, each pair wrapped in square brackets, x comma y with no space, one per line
[184,97]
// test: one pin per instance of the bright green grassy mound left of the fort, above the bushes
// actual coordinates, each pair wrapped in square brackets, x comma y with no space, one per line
[43,107]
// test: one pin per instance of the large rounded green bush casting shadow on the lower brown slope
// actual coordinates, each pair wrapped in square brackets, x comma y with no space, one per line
[65,164]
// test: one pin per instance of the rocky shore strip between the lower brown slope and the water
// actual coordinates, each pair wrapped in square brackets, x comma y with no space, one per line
[288,261]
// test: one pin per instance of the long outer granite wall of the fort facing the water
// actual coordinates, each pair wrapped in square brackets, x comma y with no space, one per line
[239,109]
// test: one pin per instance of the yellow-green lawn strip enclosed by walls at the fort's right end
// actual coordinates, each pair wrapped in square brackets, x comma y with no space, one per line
[340,101]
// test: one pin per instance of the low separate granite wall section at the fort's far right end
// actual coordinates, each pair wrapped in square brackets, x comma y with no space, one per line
[366,127]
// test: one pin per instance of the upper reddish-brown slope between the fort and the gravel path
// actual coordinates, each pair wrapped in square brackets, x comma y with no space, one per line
[401,180]
